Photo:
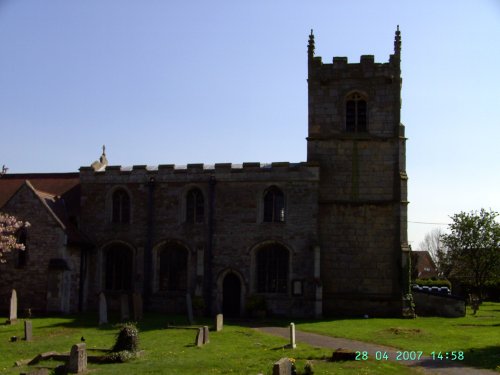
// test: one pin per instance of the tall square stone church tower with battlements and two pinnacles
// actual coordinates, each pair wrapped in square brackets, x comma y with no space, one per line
[356,137]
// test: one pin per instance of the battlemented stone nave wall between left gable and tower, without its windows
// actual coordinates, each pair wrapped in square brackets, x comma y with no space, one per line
[238,227]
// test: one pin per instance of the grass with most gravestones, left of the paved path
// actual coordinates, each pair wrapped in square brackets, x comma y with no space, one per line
[235,350]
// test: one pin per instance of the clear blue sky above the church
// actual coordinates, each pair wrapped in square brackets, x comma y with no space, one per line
[163,82]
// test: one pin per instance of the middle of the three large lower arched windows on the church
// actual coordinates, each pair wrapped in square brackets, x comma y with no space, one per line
[173,268]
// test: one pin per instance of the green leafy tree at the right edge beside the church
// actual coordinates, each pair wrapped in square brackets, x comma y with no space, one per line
[473,248]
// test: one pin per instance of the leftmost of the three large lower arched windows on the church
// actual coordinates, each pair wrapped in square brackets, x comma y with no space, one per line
[118,271]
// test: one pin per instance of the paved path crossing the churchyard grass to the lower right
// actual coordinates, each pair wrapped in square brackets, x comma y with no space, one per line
[426,363]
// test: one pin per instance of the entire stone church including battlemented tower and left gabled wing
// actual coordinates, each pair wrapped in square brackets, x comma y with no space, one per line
[322,237]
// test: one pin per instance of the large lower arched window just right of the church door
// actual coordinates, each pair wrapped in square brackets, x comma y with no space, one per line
[272,264]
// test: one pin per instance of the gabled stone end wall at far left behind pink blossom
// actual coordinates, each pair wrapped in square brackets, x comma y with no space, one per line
[39,286]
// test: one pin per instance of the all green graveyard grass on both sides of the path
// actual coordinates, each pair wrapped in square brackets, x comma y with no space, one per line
[240,350]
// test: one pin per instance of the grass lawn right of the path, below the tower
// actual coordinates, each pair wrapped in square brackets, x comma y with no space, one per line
[477,336]
